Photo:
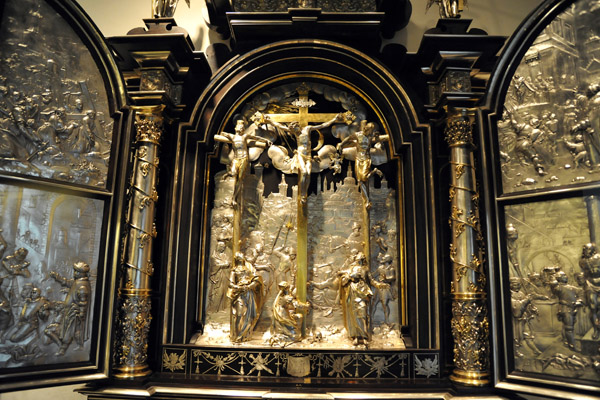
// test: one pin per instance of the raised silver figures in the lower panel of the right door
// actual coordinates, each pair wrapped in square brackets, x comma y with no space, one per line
[575,306]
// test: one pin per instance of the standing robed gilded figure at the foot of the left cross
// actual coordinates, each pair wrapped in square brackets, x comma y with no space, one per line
[246,295]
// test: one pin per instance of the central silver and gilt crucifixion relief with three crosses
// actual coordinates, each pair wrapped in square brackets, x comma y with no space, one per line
[311,263]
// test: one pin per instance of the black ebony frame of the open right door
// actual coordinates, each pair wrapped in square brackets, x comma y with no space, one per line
[505,376]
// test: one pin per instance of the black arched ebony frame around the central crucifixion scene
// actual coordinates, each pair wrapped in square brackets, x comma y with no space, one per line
[290,61]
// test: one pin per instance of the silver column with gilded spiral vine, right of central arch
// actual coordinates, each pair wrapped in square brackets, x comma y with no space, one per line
[470,327]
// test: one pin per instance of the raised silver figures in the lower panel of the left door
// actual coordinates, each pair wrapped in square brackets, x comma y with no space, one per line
[28,319]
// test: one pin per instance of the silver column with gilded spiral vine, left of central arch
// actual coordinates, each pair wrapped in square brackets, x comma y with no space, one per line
[134,302]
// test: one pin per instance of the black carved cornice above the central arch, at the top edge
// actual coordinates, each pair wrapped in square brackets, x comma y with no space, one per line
[263,21]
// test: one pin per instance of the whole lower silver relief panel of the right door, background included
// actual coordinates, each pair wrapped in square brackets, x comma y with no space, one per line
[555,287]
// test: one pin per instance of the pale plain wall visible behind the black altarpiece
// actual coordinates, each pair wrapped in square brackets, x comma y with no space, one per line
[117,17]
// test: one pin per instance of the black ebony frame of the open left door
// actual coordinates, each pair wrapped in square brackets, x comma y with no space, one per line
[113,197]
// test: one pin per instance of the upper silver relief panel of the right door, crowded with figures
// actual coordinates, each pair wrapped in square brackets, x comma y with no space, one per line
[549,129]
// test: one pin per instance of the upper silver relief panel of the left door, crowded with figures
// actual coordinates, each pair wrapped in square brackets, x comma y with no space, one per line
[54,118]
